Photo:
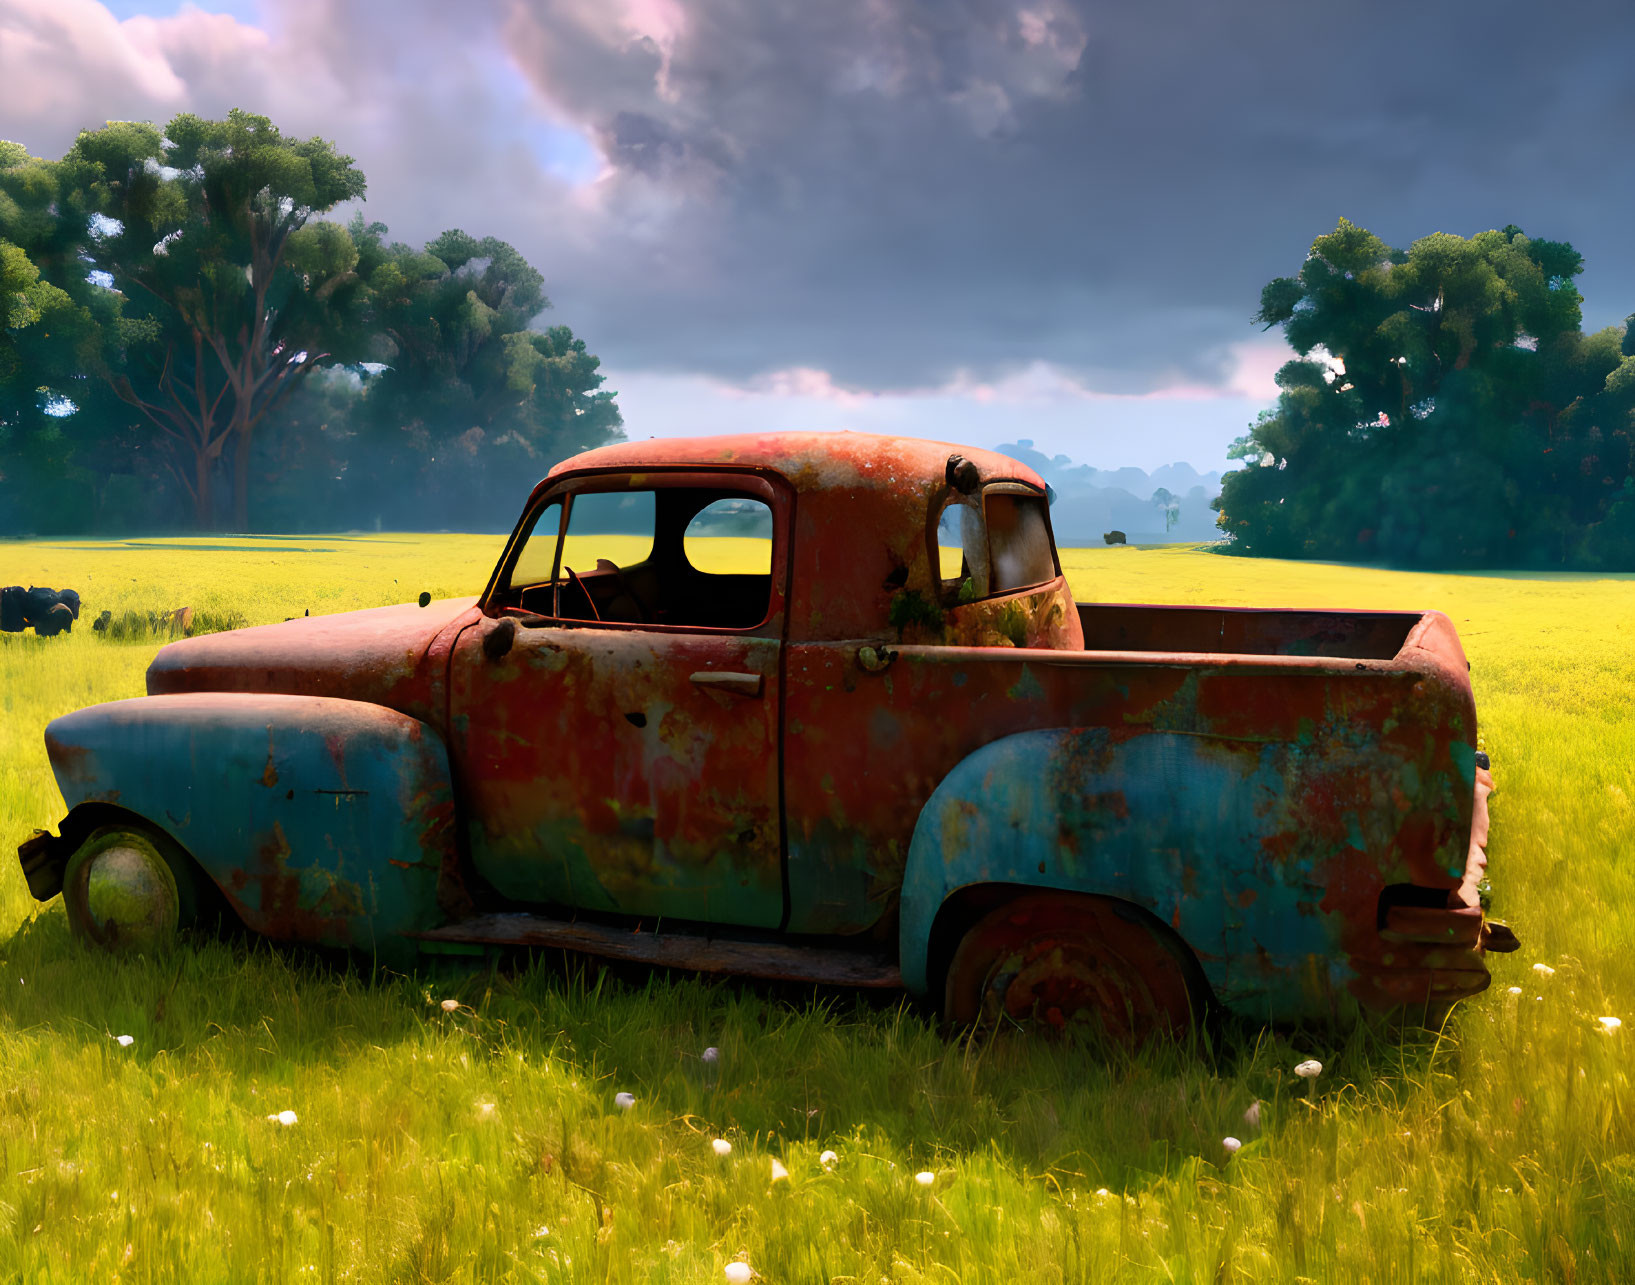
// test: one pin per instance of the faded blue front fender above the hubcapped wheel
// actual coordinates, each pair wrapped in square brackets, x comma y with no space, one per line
[325,822]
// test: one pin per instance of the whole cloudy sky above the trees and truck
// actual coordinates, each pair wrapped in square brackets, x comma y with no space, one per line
[969,220]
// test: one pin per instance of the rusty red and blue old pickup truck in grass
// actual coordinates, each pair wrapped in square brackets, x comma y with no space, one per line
[817,707]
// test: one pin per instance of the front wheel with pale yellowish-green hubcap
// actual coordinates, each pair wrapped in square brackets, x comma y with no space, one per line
[128,890]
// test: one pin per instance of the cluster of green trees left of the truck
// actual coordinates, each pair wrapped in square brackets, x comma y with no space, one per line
[186,344]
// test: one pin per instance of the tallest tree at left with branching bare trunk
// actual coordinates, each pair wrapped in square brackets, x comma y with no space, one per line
[231,295]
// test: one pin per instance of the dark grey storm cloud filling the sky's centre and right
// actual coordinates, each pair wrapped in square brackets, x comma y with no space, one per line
[897,190]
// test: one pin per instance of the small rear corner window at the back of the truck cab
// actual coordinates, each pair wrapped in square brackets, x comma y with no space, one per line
[993,544]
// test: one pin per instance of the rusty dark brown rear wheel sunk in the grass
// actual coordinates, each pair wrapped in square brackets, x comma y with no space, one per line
[1073,962]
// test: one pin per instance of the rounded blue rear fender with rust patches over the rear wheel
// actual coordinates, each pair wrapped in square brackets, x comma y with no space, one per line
[1219,840]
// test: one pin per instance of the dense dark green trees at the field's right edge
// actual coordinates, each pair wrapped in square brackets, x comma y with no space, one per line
[1446,411]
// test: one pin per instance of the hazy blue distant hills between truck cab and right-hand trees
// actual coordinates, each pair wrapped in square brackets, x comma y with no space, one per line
[1095,501]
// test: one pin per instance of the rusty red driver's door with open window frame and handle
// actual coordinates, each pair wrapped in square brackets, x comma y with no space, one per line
[622,753]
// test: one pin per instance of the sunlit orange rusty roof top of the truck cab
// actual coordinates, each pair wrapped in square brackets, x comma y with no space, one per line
[812,462]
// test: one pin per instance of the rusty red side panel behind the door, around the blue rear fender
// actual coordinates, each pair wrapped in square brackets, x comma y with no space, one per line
[1379,753]
